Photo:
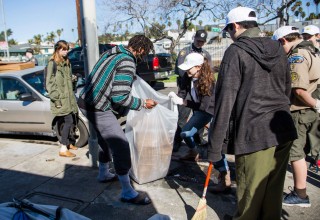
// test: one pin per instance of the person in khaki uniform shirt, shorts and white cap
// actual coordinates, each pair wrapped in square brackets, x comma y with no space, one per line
[304,68]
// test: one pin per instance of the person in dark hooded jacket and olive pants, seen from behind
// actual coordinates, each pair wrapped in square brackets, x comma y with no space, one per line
[252,117]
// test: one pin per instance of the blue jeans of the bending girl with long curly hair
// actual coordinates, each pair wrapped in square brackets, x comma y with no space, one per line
[197,121]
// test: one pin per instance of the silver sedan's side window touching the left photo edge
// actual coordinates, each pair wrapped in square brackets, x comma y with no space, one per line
[10,89]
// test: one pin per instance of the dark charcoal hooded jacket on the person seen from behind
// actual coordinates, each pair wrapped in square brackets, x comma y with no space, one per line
[252,98]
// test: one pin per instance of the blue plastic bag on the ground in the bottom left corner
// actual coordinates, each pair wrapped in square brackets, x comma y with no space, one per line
[26,210]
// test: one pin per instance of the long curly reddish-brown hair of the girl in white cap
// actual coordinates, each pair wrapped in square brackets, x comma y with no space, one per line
[206,79]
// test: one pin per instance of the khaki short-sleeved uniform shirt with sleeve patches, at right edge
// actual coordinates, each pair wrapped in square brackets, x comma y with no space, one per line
[305,71]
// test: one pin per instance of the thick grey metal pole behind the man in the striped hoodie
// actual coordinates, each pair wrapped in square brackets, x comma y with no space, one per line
[91,56]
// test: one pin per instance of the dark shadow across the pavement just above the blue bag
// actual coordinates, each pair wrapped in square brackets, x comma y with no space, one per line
[75,188]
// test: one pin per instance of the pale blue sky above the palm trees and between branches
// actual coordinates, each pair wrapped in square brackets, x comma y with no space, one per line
[27,18]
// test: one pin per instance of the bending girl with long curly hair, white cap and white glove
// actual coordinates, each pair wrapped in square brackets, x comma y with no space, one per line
[199,84]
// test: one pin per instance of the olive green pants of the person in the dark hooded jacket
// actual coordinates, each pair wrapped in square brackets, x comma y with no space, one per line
[260,180]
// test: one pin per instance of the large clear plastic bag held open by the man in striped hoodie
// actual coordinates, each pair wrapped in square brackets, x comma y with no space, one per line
[150,133]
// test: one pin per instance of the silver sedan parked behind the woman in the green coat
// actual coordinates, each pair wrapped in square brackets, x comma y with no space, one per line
[25,106]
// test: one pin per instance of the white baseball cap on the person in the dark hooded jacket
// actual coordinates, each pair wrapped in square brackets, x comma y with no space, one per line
[240,14]
